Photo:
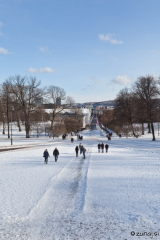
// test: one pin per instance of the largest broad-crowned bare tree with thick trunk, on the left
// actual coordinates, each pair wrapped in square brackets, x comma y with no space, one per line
[26,91]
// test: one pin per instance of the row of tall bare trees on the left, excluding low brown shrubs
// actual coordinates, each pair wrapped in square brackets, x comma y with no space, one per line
[21,93]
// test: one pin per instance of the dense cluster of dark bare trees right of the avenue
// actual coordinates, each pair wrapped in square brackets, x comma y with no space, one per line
[139,104]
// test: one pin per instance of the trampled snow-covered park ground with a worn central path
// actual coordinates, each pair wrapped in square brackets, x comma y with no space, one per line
[105,196]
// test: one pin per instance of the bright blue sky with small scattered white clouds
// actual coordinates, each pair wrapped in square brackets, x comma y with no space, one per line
[91,48]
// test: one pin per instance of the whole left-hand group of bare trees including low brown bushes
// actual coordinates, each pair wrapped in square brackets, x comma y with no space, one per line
[18,98]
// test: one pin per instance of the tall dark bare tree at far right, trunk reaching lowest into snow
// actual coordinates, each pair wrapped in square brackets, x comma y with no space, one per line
[147,90]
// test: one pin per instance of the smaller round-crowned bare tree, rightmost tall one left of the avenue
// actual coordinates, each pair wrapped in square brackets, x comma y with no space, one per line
[54,93]
